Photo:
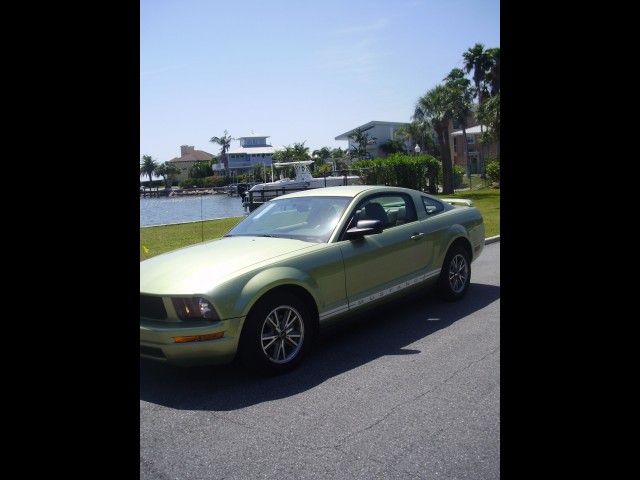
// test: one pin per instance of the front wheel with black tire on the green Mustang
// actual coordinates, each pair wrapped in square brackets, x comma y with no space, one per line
[276,335]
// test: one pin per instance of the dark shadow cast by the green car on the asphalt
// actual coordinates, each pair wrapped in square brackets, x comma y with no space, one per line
[385,332]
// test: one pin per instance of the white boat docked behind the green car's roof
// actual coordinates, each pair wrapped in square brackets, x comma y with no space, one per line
[303,180]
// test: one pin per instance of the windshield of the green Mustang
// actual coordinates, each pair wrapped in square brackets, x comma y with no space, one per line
[311,219]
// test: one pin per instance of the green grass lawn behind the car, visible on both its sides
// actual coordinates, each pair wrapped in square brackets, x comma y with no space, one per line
[157,240]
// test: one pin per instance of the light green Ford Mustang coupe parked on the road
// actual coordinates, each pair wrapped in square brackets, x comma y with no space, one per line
[298,264]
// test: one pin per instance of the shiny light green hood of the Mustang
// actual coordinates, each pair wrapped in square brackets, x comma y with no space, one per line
[200,267]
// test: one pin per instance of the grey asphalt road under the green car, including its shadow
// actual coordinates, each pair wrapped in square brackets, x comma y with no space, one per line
[412,392]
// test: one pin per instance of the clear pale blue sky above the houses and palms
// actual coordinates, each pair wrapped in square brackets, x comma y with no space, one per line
[297,71]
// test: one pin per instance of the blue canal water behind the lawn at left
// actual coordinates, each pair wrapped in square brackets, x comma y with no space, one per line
[188,208]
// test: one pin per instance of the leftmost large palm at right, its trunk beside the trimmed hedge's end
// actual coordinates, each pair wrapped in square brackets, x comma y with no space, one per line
[433,107]
